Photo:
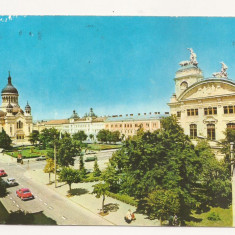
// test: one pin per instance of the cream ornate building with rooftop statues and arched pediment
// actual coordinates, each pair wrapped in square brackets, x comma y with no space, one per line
[204,107]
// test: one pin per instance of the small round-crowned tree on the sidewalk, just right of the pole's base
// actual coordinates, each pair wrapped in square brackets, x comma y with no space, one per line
[69,175]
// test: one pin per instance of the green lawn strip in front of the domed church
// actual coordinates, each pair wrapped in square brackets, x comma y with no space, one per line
[27,152]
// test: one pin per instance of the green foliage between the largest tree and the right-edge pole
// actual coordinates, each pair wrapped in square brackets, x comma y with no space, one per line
[214,187]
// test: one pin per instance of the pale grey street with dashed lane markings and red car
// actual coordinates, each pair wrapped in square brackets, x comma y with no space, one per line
[53,205]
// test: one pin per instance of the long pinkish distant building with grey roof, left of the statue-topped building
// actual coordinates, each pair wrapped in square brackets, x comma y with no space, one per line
[129,124]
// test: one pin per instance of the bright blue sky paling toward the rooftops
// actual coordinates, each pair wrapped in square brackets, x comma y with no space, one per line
[116,65]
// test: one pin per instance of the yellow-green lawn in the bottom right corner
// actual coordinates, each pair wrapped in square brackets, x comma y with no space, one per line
[225,216]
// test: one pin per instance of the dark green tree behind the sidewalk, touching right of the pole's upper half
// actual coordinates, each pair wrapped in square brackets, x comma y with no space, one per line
[66,151]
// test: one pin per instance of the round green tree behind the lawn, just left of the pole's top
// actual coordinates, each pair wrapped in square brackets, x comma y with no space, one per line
[47,137]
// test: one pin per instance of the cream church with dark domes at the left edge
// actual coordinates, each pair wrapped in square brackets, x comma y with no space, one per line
[16,122]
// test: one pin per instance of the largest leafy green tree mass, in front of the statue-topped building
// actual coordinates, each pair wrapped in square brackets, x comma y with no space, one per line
[164,158]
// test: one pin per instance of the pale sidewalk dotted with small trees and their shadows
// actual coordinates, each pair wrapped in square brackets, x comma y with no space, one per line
[87,200]
